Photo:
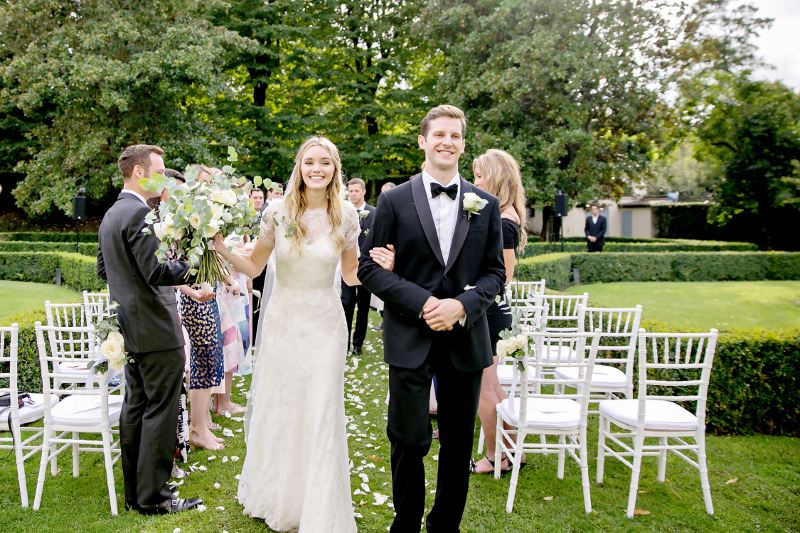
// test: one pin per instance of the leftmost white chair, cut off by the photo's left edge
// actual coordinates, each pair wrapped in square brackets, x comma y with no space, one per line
[22,409]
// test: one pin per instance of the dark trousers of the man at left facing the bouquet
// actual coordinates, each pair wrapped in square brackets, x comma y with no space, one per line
[148,425]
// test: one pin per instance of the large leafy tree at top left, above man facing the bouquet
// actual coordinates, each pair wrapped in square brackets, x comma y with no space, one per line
[116,73]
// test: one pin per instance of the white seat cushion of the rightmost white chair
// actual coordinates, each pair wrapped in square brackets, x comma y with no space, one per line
[660,415]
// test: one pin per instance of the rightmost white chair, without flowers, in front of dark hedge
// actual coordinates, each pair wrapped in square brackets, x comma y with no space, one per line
[671,362]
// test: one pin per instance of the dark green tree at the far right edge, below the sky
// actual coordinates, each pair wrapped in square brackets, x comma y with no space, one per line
[751,131]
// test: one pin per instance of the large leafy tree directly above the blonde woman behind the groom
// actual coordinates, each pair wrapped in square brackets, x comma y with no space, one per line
[568,87]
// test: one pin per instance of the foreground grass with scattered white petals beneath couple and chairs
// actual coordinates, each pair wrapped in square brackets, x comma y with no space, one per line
[766,496]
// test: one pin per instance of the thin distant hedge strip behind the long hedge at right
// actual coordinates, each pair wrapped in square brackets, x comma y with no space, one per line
[540,248]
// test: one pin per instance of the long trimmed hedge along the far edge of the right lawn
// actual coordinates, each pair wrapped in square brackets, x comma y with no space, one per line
[677,266]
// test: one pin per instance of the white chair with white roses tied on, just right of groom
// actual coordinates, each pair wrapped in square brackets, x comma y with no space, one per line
[538,410]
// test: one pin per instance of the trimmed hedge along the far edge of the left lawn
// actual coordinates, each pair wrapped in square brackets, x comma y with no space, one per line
[78,271]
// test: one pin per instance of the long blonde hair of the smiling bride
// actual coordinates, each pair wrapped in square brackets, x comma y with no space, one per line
[295,198]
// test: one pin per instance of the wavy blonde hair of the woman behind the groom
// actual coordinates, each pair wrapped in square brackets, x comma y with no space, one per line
[502,178]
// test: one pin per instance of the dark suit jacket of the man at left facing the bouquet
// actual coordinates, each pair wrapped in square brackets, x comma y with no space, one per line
[143,287]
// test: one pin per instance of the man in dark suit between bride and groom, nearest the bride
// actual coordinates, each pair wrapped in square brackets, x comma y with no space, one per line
[358,296]
